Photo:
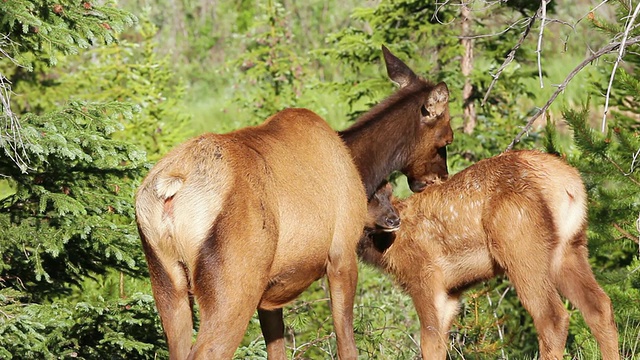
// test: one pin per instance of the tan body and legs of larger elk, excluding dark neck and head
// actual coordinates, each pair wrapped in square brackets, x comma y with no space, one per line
[246,220]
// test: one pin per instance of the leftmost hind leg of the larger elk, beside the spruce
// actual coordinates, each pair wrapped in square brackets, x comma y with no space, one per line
[171,293]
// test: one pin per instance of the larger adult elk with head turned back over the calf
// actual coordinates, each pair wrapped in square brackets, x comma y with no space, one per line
[251,218]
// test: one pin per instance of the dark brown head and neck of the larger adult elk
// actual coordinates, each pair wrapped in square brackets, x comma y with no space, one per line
[409,131]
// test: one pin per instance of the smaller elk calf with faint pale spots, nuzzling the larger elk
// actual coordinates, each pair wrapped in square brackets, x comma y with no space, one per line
[522,213]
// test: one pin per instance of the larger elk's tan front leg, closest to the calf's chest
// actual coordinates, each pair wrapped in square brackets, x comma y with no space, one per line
[342,274]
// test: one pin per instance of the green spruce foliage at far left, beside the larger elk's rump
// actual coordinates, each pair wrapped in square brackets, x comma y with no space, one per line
[85,111]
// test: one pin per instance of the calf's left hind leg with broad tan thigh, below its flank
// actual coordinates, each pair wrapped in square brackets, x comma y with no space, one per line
[523,252]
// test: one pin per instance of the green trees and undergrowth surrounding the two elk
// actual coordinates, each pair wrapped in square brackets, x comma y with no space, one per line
[94,92]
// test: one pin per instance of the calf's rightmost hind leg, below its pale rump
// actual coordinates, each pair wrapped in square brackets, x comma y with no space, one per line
[575,280]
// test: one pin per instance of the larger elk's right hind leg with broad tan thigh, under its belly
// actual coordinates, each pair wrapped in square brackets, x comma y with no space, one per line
[230,276]
